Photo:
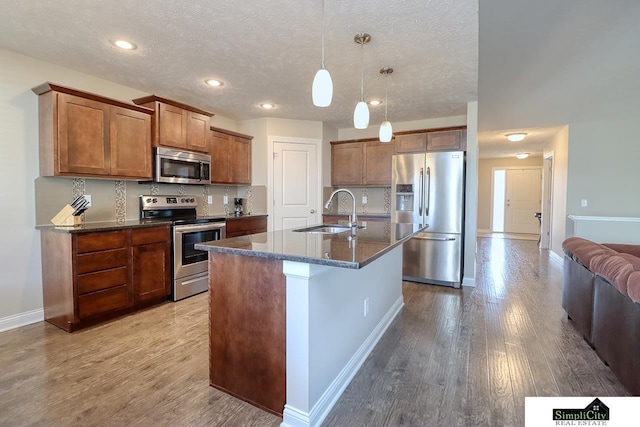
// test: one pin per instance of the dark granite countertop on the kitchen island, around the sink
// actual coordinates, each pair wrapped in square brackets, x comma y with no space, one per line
[337,250]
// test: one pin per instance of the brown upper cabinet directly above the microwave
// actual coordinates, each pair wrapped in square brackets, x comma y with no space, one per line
[177,125]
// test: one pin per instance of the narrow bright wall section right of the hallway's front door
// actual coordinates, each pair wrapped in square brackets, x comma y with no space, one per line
[559,148]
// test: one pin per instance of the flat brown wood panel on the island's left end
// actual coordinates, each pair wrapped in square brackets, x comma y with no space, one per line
[247,329]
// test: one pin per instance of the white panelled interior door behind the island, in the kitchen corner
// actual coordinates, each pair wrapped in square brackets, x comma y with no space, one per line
[295,185]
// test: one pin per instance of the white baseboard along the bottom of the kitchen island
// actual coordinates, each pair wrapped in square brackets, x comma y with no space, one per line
[293,417]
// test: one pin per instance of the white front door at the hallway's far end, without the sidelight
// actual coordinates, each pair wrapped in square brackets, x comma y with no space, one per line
[523,198]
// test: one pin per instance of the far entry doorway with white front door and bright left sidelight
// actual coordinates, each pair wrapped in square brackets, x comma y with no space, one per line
[517,195]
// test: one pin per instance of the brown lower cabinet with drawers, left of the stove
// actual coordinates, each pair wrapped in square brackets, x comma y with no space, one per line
[95,276]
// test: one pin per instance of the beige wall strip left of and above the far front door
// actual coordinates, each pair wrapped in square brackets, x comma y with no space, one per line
[485,177]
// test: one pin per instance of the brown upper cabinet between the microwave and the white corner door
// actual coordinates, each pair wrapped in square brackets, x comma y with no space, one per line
[230,157]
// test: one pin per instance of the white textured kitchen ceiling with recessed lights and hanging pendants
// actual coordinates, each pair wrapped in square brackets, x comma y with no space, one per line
[263,51]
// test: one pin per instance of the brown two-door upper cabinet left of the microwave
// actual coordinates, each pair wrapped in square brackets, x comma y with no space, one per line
[83,134]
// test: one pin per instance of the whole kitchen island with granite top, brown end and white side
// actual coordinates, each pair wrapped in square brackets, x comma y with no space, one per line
[294,315]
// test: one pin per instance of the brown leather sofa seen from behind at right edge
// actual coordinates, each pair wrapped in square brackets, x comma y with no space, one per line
[601,295]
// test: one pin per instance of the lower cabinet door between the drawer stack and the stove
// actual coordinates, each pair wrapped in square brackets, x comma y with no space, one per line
[151,271]
